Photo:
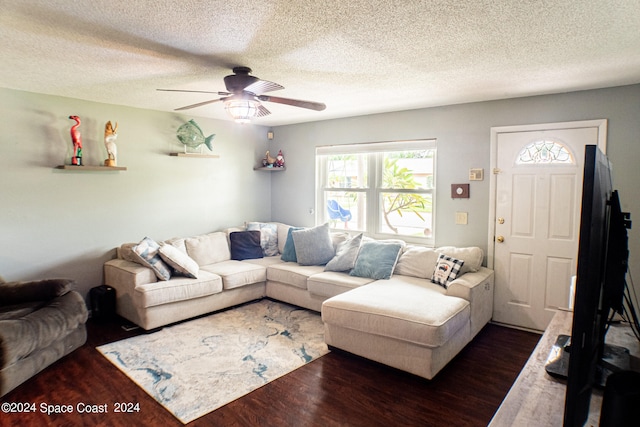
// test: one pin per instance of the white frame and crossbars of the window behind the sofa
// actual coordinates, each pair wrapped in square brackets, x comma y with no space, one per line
[373,189]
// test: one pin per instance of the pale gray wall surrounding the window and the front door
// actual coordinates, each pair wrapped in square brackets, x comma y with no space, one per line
[463,134]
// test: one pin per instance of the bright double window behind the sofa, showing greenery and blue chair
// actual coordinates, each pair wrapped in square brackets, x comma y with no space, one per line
[384,189]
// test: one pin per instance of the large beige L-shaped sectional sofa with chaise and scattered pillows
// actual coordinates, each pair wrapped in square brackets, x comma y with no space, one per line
[403,320]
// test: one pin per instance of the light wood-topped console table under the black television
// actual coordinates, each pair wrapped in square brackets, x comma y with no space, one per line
[536,398]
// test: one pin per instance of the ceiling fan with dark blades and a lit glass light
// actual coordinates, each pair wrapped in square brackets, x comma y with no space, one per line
[243,96]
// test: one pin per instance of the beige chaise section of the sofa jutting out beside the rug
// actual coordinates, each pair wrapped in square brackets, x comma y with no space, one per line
[405,322]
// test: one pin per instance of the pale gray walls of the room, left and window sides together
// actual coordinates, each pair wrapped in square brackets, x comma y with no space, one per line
[66,224]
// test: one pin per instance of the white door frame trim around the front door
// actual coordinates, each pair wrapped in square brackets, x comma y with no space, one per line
[601,124]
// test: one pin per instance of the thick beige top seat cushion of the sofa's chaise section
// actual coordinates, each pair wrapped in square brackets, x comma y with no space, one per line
[403,308]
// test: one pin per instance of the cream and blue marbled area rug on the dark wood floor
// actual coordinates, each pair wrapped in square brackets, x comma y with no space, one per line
[196,367]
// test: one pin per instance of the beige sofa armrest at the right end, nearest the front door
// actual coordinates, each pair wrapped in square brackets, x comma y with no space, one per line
[477,288]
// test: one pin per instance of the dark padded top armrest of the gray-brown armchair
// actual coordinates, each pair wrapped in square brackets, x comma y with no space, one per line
[39,290]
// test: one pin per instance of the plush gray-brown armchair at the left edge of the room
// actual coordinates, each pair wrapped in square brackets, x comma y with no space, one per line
[40,322]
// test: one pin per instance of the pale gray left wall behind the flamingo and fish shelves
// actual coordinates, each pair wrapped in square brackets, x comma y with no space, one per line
[56,223]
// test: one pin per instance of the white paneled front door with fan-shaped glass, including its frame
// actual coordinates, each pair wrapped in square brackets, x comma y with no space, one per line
[536,186]
